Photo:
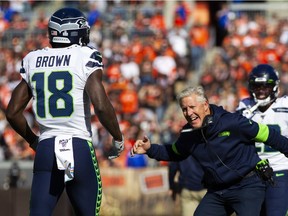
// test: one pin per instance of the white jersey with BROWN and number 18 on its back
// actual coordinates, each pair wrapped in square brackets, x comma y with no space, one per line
[57,78]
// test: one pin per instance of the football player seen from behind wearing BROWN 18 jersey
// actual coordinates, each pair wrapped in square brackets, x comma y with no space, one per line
[63,81]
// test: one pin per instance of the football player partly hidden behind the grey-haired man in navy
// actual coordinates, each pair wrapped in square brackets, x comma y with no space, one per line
[264,106]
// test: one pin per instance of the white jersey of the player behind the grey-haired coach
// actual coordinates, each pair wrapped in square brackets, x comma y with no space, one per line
[277,116]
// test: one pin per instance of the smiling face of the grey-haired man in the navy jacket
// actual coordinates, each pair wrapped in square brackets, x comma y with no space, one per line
[194,110]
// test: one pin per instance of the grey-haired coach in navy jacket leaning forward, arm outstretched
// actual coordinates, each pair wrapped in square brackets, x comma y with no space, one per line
[224,145]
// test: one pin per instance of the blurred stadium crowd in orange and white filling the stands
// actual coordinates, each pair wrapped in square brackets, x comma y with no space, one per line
[151,50]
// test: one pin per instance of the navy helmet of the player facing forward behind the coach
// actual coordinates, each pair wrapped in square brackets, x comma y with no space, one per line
[264,84]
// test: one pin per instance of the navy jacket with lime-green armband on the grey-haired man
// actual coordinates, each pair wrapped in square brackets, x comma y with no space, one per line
[225,148]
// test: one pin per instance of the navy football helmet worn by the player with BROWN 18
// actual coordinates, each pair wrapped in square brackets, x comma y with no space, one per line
[68,26]
